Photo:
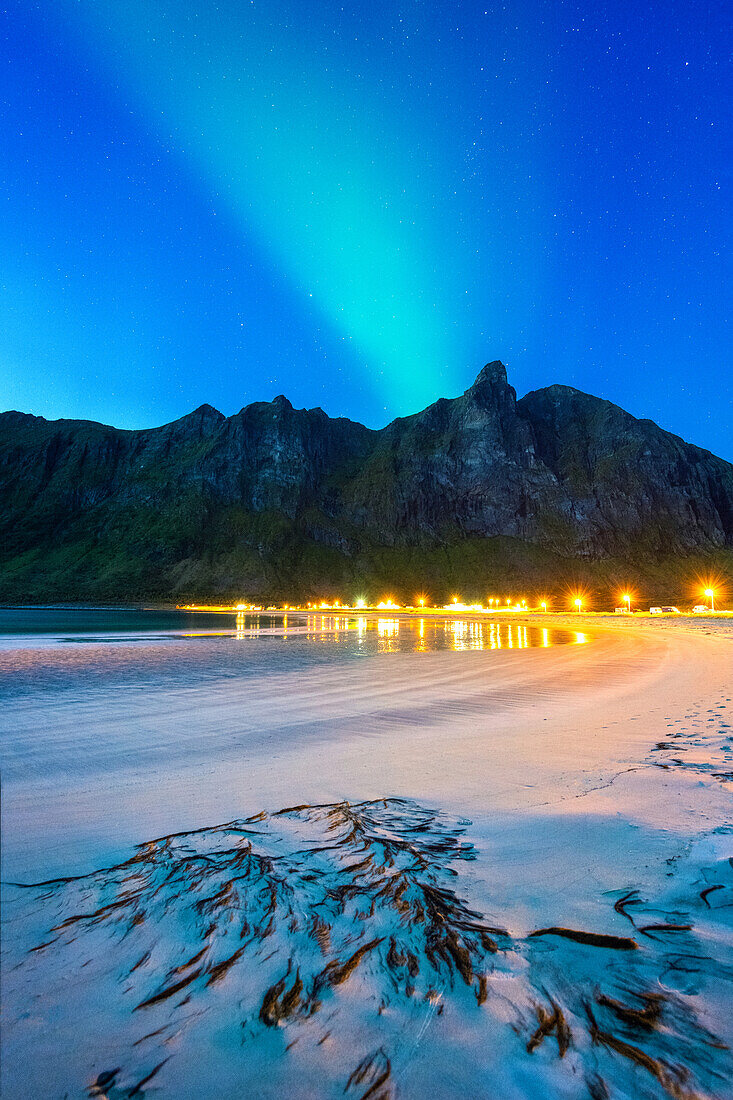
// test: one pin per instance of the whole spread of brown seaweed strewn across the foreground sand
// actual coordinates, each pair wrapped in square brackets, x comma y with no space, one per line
[331,937]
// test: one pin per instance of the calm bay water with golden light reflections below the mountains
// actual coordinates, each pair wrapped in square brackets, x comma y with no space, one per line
[69,661]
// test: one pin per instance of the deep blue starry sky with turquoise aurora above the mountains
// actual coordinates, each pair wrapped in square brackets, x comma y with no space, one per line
[360,204]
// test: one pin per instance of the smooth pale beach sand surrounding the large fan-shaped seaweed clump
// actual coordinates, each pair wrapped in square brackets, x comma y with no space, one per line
[587,772]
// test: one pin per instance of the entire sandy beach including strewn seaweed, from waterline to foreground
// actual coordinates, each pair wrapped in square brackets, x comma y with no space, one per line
[566,809]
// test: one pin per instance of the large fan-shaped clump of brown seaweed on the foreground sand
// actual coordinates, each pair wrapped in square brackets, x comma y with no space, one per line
[282,912]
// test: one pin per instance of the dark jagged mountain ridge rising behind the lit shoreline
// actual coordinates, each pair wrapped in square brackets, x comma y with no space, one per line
[283,503]
